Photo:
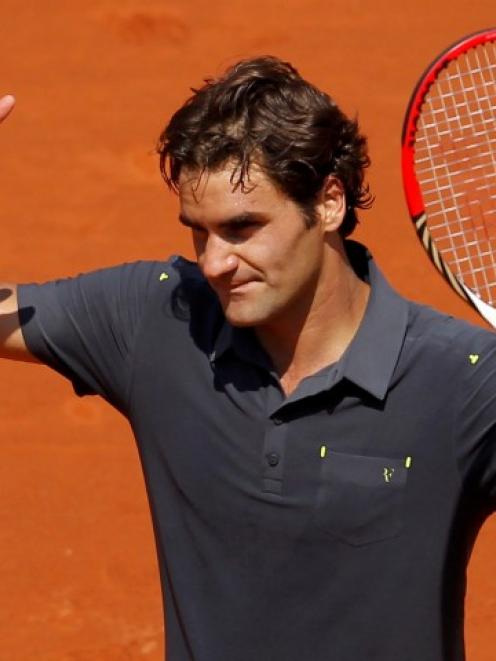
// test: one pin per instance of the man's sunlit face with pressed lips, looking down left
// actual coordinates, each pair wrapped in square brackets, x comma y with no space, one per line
[253,247]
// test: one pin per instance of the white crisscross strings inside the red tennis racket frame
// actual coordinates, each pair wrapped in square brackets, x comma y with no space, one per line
[455,161]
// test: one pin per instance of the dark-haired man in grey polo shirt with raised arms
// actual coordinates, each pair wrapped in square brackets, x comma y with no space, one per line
[318,451]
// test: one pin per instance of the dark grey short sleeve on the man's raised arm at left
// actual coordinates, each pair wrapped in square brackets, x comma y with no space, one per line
[85,327]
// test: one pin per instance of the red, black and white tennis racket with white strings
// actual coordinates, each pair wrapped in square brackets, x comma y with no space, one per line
[449,167]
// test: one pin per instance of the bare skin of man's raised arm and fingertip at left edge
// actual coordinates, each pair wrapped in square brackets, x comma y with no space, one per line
[12,343]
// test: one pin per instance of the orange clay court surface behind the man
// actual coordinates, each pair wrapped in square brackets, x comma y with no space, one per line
[95,82]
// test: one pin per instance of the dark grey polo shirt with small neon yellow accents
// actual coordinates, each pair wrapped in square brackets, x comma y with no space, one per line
[331,525]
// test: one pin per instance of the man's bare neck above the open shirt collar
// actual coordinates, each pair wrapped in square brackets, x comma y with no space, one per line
[304,342]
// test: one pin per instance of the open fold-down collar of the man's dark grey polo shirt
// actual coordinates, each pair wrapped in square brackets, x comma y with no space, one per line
[372,355]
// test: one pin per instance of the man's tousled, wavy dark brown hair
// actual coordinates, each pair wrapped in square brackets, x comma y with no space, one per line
[262,111]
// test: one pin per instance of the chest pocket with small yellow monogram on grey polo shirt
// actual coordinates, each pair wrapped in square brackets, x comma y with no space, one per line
[360,499]
